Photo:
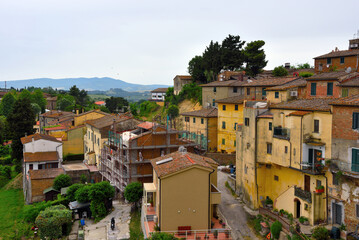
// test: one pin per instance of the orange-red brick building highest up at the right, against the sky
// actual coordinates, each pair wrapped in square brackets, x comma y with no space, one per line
[339,59]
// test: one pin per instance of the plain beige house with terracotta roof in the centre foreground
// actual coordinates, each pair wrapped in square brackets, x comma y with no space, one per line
[184,191]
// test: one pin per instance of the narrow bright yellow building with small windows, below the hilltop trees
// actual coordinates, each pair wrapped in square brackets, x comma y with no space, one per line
[230,116]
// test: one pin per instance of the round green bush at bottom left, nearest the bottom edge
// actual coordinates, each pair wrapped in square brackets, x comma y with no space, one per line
[52,220]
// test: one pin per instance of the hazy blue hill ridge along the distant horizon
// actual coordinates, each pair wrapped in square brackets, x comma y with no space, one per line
[89,84]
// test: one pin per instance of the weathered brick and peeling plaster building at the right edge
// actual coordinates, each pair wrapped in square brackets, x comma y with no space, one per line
[344,164]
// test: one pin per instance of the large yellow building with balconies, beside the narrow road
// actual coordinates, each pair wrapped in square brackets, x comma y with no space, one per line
[281,156]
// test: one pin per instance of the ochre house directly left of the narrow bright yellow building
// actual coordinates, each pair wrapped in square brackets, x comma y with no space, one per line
[201,127]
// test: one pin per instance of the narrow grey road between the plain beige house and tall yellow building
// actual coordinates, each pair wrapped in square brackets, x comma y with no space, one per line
[233,211]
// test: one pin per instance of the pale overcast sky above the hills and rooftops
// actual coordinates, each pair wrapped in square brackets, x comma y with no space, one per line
[150,42]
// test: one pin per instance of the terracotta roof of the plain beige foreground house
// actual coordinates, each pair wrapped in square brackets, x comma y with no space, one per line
[179,162]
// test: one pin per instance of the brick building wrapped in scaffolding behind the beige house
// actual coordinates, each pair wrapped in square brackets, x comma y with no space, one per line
[126,153]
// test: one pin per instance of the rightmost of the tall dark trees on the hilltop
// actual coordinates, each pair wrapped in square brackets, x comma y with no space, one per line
[254,57]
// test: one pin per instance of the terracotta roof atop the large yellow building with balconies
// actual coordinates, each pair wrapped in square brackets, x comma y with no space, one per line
[314,104]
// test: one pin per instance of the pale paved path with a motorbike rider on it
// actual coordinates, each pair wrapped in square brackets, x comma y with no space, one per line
[102,229]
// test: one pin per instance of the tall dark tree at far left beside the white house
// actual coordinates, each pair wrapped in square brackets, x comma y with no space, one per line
[20,121]
